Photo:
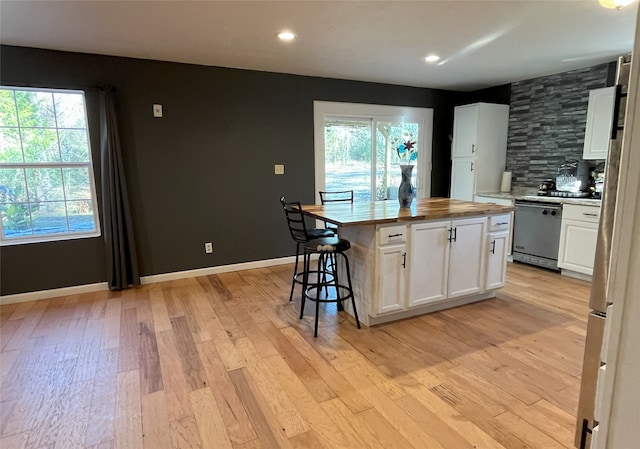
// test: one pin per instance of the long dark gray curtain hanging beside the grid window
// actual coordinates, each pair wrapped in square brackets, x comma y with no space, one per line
[122,260]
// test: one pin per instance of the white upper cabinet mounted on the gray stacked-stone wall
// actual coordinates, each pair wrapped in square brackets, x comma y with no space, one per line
[599,121]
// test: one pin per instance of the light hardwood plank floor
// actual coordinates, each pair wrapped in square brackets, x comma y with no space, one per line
[224,362]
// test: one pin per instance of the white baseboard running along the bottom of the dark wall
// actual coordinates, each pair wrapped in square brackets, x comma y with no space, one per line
[100,286]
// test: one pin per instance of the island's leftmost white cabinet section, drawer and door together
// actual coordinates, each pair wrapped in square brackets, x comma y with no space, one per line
[391,263]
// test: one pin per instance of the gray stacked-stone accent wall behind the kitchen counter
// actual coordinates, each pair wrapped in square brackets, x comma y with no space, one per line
[547,121]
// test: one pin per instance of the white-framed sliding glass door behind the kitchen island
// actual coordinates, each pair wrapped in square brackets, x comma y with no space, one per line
[355,148]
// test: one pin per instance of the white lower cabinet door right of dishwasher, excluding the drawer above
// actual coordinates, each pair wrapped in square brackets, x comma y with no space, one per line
[577,246]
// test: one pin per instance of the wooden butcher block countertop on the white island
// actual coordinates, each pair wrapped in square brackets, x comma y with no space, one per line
[379,212]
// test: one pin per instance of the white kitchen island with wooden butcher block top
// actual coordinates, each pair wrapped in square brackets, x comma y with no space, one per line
[439,253]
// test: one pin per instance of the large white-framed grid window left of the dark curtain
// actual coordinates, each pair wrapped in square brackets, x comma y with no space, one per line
[47,189]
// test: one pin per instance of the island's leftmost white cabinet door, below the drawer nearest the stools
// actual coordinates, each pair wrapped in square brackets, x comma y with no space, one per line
[391,278]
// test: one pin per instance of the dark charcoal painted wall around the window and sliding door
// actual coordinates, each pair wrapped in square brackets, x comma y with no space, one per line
[203,172]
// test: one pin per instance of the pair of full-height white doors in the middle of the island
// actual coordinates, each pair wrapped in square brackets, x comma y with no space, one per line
[445,260]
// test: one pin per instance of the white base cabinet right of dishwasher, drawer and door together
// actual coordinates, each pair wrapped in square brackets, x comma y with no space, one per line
[578,237]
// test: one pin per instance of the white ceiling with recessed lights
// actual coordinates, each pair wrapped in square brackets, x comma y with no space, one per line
[482,43]
